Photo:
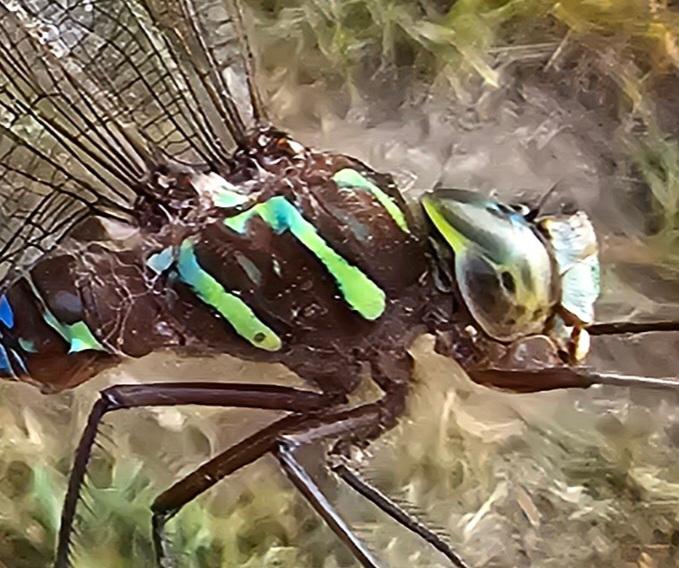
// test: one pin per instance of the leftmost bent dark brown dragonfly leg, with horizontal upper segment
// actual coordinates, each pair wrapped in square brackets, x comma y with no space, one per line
[120,397]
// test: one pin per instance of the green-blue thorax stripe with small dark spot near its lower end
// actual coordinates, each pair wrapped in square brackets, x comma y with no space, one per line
[230,306]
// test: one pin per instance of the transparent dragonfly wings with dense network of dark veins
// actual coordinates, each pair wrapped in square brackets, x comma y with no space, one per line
[94,93]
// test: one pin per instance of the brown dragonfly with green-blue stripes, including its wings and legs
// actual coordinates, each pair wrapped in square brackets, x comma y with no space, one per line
[149,204]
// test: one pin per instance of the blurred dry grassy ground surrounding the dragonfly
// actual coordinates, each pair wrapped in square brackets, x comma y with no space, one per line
[511,96]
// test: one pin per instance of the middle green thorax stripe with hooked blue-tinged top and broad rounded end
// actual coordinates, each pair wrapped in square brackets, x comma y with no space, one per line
[359,291]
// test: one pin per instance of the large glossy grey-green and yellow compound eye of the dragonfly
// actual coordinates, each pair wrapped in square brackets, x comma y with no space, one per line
[503,267]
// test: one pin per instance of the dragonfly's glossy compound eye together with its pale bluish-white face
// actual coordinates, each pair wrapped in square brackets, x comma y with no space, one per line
[520,278]
